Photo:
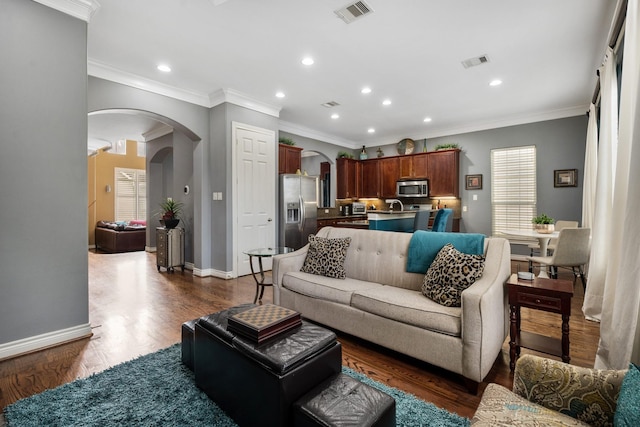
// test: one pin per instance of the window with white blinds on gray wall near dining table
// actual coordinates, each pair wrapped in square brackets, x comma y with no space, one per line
[513,187]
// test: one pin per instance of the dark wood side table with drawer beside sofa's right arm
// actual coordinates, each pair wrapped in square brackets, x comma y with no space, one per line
[550,295]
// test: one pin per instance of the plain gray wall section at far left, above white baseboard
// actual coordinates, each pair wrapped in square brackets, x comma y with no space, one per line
[43,171]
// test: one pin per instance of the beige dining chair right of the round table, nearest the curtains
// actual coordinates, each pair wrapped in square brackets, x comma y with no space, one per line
[572,250]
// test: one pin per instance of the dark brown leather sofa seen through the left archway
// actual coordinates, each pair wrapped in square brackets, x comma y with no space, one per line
[117,237]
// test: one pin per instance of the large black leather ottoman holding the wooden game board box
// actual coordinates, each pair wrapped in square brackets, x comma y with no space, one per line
[257,384]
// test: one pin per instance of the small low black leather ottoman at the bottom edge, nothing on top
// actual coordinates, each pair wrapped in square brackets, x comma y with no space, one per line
[344,401]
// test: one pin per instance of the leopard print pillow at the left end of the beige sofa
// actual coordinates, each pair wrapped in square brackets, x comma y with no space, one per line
[325,257]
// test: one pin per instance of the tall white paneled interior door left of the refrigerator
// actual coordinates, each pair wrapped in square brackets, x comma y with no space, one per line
[255,193]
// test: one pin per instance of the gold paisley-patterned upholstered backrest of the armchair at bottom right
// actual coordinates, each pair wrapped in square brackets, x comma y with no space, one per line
[586,394]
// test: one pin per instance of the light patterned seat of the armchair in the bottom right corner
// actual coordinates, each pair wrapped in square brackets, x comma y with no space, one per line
[501,407]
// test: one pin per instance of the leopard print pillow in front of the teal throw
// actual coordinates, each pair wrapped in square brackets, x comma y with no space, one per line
[451,273]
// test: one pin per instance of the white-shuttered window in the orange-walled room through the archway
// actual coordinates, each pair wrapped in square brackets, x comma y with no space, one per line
[131,194]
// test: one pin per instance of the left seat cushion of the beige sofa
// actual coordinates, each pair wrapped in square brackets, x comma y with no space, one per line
[325,288]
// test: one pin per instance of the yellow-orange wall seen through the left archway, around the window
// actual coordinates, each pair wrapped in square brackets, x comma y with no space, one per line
[101,170]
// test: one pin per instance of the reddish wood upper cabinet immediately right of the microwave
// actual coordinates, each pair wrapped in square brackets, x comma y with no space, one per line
[443,167]
